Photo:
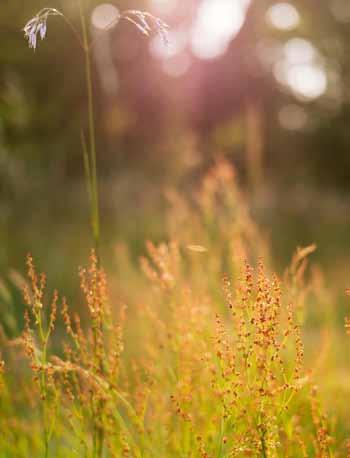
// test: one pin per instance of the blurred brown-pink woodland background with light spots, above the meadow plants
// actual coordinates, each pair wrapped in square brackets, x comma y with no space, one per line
[264,84]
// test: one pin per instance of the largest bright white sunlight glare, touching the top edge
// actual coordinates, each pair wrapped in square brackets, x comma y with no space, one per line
[216,24]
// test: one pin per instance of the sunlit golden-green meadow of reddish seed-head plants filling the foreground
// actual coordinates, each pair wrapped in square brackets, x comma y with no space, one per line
[198,351]
